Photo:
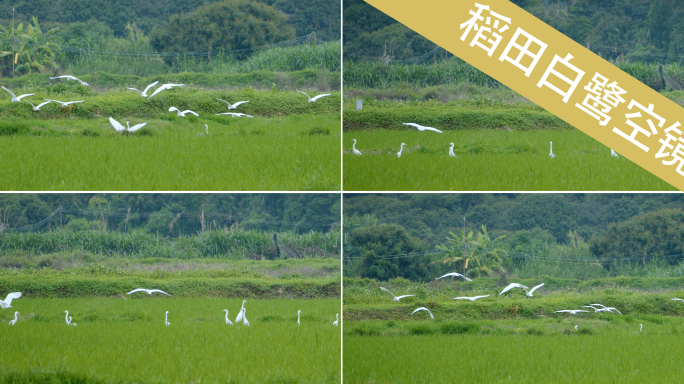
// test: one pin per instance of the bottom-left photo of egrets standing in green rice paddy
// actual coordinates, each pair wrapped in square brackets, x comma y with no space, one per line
[170,288]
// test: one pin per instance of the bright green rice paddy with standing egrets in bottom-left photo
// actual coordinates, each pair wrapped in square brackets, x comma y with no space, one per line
[124,339]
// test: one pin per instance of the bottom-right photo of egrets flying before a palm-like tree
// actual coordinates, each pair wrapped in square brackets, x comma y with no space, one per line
[515,287]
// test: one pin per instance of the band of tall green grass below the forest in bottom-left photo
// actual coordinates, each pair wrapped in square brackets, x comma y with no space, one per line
[233,244]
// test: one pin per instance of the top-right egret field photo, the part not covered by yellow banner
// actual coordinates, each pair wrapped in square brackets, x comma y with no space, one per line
[418,118]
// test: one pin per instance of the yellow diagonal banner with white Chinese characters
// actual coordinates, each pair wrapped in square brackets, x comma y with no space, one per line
[556,73]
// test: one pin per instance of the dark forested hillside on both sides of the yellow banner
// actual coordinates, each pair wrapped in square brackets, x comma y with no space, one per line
[637,30]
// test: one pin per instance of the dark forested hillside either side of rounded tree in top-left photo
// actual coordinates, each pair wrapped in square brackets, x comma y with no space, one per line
[322,17]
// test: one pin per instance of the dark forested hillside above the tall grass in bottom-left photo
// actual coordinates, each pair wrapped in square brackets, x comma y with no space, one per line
[171,214]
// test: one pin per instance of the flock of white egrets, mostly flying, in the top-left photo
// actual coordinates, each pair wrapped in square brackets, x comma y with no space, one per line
[119,127]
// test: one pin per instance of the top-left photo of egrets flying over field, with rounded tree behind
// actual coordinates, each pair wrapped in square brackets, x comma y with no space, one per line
[169,96]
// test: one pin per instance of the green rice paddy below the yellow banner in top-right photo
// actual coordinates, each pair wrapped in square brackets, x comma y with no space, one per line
[488,160]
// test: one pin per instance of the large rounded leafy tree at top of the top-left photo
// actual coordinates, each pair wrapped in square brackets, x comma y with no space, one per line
[224,26]
